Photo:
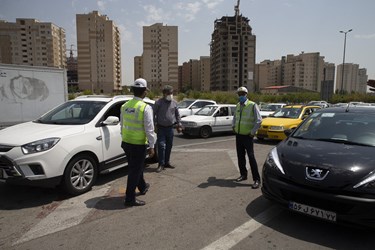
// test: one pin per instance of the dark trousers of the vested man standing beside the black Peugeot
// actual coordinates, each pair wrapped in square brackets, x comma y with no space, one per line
[245,144]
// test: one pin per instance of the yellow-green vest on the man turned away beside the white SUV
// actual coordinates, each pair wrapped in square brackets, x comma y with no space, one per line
[133,129]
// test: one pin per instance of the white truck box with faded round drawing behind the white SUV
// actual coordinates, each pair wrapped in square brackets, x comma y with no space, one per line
[27,92]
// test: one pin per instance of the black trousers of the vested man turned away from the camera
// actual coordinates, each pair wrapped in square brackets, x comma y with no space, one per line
[136,155]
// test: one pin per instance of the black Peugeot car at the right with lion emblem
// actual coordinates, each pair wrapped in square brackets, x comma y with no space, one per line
[326,167]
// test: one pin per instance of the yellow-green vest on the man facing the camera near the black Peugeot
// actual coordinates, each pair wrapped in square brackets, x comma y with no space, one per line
[244,118]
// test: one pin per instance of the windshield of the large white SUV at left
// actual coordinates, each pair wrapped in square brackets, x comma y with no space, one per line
[72,113]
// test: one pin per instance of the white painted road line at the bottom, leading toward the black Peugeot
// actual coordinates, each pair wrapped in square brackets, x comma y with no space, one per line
[233,238]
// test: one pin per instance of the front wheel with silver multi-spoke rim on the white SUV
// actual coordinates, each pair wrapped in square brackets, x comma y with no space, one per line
[80,174]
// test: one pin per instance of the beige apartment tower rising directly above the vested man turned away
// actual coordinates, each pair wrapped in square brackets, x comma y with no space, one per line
[160,56]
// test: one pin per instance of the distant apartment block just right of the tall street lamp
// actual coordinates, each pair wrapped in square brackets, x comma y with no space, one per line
[355,79]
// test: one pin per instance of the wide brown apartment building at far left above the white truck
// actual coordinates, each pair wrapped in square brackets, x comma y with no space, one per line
[31,42]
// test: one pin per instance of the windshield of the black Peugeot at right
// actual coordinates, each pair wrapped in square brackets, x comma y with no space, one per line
[341,127]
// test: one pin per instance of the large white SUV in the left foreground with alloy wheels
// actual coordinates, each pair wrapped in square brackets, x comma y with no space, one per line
[70,145]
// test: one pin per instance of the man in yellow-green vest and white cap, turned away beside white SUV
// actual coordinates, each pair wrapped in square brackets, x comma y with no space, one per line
[137,130]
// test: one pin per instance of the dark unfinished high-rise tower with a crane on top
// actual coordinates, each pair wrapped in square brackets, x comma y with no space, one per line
[232,53]
